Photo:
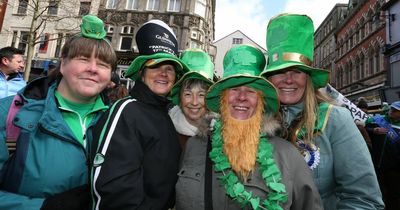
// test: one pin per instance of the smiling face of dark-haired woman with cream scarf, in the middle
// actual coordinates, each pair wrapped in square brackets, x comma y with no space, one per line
[193,103]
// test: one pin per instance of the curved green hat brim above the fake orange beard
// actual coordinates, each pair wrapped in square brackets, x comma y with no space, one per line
[258,83]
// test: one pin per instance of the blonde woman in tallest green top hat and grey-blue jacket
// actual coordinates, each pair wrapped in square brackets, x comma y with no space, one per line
[324,134]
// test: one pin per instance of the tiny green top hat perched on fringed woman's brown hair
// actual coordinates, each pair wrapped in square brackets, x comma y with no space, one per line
[92,27]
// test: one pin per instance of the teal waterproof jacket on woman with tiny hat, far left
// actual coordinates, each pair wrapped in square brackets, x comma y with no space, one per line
[48,159]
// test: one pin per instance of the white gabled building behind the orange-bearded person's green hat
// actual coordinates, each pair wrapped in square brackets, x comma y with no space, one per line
[226,43]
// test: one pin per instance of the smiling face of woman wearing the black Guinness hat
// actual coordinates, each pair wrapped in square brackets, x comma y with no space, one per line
[160,78]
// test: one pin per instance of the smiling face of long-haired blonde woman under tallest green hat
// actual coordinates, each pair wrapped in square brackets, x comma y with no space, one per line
[291,84]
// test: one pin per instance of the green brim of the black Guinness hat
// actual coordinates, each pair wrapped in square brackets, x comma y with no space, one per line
[138,62]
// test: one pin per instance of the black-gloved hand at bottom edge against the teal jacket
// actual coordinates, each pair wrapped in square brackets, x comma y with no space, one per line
[75,199]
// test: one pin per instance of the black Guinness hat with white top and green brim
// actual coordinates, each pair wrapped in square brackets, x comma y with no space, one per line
[156,43]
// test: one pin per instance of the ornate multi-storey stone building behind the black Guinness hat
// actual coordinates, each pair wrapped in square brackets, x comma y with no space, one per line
[191,20]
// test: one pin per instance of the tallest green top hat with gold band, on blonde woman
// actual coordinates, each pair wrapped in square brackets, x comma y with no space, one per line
[290,43]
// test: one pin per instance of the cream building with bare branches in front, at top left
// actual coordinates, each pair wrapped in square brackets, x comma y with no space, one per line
[55,21]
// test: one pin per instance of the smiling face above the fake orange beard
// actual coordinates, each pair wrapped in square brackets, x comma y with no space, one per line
[242,102]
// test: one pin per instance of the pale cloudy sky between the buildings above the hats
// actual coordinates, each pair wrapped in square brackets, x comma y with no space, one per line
[252,16]
